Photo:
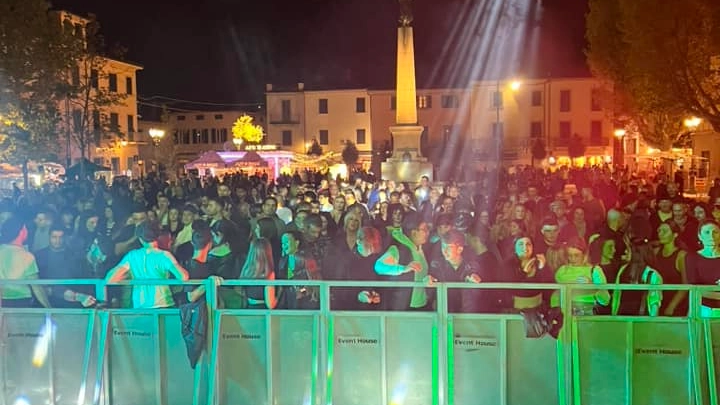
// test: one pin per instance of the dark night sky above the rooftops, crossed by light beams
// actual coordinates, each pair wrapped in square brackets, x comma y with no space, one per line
[226,50]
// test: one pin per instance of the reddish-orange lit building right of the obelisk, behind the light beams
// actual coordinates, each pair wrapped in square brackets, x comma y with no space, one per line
[553,110]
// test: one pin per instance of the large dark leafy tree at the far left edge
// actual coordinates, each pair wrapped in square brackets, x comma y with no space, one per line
[35,53]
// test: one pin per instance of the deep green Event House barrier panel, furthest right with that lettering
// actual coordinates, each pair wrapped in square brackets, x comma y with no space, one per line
[633,360]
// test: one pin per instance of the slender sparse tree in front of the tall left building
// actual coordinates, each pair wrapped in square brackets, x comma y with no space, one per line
[88,101]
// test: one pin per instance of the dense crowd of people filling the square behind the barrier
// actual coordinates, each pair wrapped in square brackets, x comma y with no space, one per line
[572,225]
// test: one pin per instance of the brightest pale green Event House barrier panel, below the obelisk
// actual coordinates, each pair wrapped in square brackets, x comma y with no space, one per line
[383,358]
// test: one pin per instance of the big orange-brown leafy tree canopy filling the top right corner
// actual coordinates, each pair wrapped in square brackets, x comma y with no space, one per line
[662,58]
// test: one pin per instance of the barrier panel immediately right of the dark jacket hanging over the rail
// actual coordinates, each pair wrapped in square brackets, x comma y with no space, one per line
[266,356]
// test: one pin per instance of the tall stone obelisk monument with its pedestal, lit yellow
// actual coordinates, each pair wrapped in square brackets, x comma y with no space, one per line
[407,162]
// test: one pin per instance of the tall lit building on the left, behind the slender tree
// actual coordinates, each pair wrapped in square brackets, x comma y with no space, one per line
[106,134]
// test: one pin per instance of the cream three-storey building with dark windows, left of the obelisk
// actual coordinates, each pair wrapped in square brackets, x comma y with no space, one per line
[331,117]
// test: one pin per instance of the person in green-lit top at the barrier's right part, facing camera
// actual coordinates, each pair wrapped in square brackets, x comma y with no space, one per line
[579,271]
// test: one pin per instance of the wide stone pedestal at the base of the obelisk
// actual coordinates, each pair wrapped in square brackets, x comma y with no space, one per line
[407,163]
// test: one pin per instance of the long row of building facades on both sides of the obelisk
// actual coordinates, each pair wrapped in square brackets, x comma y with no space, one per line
[459,123]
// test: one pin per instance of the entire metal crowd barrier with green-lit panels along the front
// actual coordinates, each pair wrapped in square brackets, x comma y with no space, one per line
[325,356]
